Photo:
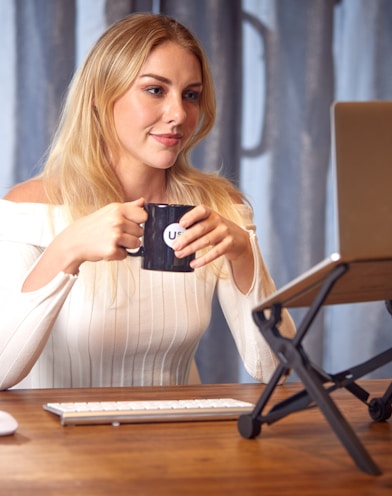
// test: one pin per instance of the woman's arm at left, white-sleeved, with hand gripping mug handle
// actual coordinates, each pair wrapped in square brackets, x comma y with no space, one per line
[39,263]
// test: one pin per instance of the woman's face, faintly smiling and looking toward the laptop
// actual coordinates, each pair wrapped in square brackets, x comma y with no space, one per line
[158,114]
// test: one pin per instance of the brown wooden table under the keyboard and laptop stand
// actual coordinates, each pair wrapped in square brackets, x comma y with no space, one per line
[298,455]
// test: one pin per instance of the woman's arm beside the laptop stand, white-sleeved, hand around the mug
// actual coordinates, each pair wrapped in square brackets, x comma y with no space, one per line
[244,284]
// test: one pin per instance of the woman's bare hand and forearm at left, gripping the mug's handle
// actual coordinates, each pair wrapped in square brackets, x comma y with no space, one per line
[102,235]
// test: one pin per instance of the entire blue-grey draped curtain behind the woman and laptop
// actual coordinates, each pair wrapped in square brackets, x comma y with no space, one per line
[278,65]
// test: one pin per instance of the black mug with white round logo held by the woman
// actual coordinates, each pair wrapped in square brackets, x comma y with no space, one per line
[160,231]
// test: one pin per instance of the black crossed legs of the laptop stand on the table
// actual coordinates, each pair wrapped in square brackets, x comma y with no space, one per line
[292,356]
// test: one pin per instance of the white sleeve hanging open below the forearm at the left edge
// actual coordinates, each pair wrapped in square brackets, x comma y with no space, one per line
[26,318]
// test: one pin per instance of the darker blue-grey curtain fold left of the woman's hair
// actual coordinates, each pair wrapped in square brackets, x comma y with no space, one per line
[44,66]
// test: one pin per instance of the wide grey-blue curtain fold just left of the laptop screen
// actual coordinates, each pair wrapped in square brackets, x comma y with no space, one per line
[300,90]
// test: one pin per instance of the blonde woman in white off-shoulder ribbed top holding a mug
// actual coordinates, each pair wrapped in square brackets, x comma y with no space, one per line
[77,311]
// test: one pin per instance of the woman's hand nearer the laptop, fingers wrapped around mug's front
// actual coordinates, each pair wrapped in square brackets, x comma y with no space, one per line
[207,229]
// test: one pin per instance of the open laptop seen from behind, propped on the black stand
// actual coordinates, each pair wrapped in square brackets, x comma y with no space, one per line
[362,174]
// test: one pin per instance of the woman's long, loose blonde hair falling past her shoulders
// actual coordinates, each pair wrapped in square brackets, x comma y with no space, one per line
[79,172]
